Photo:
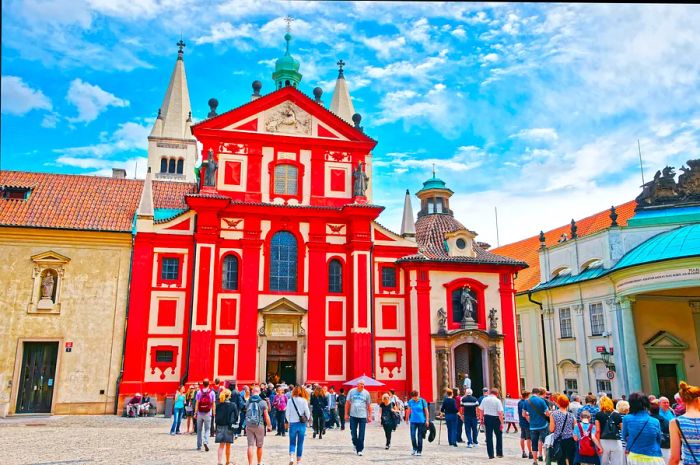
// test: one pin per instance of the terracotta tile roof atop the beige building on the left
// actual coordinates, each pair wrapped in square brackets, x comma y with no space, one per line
[96,203]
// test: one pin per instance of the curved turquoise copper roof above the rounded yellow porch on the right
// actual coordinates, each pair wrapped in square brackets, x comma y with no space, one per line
[677,243]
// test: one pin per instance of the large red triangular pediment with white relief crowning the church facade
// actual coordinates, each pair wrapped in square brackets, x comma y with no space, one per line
[285,112]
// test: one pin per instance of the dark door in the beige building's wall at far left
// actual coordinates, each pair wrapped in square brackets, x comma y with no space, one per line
[37,377]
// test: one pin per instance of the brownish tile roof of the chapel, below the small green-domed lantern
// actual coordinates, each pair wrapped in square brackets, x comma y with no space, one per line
[430,236]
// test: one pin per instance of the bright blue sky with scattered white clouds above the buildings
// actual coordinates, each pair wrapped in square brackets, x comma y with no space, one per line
[532,108]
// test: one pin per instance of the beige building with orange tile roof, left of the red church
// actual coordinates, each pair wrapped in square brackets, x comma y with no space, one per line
[66,247]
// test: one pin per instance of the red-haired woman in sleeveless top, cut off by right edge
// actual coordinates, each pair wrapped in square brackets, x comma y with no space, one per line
[685,429]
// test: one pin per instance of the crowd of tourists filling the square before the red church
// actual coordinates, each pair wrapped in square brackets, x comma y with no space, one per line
[554,427]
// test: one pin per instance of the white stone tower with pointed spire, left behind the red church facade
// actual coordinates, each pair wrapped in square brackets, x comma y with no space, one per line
[172,149]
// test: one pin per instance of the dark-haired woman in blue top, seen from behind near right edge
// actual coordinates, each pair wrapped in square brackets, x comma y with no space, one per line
[642,433]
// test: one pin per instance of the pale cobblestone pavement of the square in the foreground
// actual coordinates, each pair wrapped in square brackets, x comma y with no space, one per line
[67,440]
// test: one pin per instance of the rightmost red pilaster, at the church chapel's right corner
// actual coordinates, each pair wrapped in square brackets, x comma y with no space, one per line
[510,343]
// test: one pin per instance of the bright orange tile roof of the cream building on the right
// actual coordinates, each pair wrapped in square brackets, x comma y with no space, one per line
[527,249]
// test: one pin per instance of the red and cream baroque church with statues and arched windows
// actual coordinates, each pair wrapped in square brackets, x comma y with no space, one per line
[278,269]
